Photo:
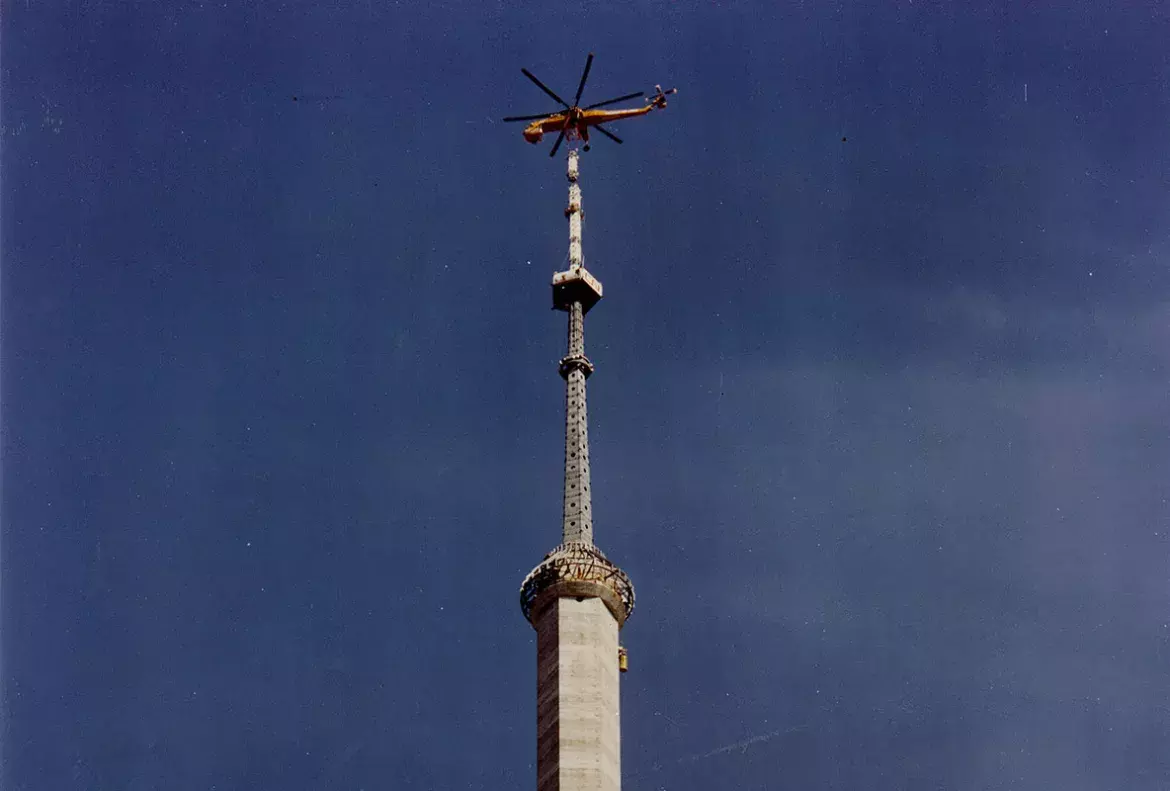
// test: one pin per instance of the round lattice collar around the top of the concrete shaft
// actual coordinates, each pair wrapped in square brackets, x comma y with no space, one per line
[579,569]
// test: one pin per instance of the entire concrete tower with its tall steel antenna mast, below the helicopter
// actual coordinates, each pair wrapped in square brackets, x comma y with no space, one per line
[576,600]
